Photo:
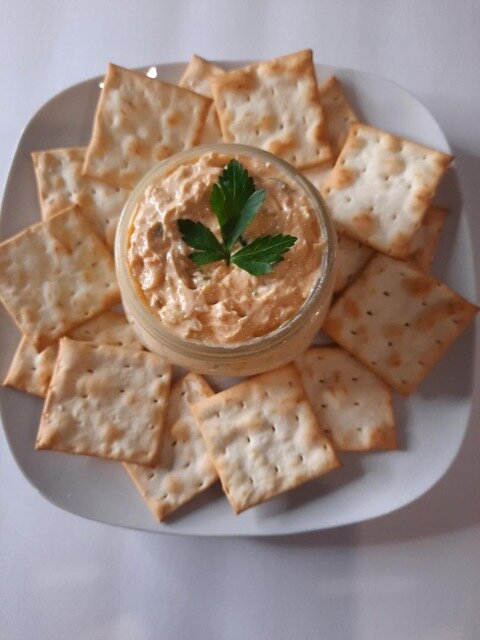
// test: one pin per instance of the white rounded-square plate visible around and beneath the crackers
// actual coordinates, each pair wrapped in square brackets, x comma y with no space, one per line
[431,424]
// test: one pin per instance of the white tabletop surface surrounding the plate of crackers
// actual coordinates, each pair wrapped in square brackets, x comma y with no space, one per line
[412,575]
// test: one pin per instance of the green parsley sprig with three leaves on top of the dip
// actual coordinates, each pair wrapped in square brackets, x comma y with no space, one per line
[235,203]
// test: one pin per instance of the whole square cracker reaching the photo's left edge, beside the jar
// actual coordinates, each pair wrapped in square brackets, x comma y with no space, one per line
[56,275]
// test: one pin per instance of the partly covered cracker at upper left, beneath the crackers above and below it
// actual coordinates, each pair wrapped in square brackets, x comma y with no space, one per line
[60,185]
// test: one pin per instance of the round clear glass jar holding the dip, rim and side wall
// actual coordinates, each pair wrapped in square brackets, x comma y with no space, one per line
[258,354]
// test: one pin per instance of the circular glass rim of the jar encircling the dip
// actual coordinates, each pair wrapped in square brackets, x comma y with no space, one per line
[213,351]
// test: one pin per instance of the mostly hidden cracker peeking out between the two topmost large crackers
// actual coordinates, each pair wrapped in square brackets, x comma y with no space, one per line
[196,77]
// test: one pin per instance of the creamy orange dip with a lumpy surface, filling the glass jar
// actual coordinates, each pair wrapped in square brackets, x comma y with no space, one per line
[216,303]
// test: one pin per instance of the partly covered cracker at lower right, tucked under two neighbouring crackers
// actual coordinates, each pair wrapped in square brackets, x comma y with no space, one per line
[351,403]
